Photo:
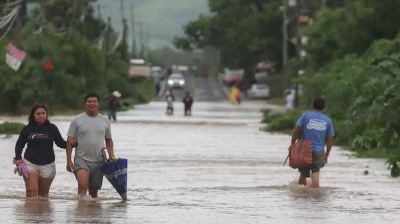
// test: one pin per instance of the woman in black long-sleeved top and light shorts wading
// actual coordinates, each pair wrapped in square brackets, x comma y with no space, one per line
[39,136]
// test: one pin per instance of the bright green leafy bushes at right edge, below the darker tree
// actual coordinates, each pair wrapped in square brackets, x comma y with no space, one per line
[363,94]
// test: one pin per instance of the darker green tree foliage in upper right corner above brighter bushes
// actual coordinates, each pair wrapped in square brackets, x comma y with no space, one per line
[350,30]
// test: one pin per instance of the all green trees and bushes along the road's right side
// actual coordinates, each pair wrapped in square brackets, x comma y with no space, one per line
[352,60]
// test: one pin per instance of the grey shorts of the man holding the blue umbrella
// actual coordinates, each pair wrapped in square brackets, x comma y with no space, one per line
[96,176]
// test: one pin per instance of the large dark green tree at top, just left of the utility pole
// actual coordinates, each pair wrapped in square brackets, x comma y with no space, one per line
[245,31]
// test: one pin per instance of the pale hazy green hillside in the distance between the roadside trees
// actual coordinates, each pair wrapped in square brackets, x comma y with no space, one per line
[163,19]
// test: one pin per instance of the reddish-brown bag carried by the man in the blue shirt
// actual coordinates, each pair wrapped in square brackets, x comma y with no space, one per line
[300,154]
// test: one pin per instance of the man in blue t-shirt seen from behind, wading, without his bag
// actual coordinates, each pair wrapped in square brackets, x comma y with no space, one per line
[316,127]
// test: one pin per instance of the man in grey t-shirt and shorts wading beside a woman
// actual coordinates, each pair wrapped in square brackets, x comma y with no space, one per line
[92,132]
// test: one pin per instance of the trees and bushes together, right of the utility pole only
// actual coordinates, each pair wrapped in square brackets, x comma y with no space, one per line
[353,61]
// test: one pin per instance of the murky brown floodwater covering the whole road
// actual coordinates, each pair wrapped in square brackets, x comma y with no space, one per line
[213,167]
